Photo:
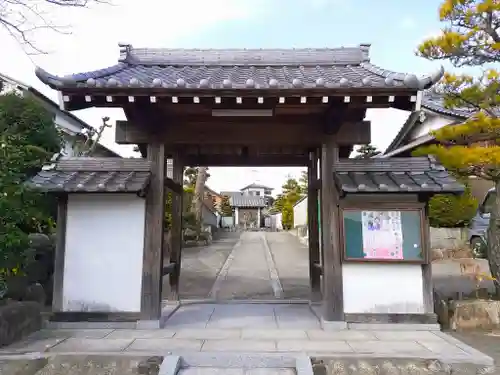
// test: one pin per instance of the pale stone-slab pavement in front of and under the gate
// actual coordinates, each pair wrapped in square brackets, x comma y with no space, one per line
[263,329]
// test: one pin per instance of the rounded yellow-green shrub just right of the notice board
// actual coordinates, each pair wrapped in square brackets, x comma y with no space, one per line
[449,211]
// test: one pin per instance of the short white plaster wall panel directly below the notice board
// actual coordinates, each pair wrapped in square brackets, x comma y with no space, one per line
[382,288]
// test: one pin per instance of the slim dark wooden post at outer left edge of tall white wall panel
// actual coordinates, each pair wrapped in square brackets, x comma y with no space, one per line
[62,214]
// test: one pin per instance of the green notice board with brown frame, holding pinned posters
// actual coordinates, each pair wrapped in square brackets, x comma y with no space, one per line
[413,249]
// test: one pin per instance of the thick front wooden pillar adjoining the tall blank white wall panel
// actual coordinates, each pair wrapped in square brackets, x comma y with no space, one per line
[153,235]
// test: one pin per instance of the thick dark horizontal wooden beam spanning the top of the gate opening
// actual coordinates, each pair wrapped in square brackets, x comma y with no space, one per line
[225,132]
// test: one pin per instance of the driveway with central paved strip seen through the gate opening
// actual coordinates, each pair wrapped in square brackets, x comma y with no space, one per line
[246,266]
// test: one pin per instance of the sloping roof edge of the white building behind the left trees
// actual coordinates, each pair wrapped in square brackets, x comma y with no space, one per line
[52,106]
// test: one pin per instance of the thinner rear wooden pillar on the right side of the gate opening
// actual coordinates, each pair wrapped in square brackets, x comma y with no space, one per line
[312,224]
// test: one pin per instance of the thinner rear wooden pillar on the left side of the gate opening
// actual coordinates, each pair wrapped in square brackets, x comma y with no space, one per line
[176,230]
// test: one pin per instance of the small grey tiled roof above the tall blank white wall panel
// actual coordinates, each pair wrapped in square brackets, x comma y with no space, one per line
[93,175]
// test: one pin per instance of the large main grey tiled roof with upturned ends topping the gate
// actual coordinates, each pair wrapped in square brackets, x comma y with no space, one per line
[335,68]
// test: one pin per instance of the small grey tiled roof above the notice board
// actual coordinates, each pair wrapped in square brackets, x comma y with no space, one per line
[394,175]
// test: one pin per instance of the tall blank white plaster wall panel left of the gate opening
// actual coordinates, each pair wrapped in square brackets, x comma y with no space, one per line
[104,252]
